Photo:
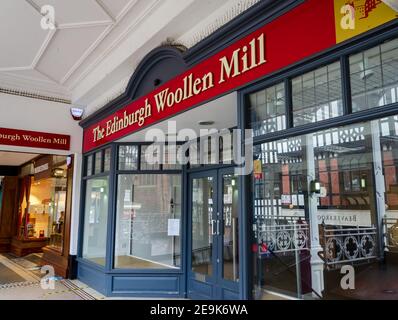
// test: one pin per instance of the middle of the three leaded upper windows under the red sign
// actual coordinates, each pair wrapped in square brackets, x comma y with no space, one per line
[317,95]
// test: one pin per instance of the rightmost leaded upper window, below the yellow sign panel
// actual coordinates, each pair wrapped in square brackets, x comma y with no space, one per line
[374,77]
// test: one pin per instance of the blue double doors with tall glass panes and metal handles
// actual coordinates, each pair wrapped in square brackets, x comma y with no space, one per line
[213,251]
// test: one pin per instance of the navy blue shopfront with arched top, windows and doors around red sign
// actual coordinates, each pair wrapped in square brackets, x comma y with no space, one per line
[204,232]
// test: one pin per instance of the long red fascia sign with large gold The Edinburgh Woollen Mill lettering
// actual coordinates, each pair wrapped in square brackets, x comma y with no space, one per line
[307,29]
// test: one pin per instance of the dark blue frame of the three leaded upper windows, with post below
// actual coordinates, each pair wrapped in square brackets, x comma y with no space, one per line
[340,52]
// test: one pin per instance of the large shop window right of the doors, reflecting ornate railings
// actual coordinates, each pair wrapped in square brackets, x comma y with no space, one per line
[343,213]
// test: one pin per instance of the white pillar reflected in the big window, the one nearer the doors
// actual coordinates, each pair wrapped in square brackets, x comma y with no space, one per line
[317,281]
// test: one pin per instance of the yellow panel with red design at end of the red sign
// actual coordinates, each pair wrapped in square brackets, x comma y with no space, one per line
[353,17]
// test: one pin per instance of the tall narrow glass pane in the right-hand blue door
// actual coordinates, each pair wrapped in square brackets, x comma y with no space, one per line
[231,228]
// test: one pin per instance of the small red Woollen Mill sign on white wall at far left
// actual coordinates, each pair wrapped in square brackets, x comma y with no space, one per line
[34,139]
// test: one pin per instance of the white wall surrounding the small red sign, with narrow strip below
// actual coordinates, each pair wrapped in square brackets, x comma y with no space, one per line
[23,113]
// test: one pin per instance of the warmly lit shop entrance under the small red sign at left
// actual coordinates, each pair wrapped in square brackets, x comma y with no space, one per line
[35,194]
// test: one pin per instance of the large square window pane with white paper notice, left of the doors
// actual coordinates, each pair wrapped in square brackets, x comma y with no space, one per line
[148,221]
